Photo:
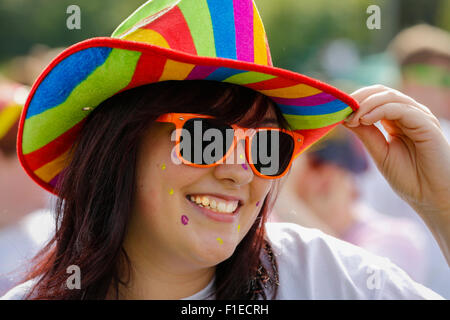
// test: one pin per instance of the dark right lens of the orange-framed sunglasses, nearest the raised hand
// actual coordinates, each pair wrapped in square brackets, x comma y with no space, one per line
[271,151]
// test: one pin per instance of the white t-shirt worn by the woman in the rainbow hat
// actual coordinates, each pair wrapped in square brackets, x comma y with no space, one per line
[313,265]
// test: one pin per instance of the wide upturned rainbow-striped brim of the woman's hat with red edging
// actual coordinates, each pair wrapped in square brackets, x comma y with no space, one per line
[89,72]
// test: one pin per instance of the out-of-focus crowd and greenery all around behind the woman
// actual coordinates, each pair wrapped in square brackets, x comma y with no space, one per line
[325,39]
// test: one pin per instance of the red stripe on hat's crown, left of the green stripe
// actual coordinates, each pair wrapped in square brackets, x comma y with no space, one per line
[178,36]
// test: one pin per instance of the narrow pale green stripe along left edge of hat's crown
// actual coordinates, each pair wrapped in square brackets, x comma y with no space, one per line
[147,9]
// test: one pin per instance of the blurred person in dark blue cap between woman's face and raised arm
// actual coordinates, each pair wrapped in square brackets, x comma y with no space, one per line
[325,183]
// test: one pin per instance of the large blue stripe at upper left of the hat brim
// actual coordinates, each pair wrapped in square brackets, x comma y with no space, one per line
[64,77]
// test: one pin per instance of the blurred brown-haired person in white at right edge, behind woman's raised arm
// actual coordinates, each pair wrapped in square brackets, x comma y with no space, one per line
[423,56]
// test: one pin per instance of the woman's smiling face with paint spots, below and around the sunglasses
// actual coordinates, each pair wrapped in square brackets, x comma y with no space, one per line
[167,224]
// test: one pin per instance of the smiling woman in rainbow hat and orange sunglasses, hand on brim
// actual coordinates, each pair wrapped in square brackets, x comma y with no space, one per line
[149,212]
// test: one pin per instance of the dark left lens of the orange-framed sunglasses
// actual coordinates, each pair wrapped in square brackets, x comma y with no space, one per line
[205,141]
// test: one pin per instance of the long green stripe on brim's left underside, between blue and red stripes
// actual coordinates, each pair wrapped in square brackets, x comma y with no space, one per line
[119,67]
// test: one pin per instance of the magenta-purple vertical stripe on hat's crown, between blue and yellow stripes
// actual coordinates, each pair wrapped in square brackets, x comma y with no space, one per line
[243,21]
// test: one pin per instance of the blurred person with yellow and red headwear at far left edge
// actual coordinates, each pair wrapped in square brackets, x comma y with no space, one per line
[24,225]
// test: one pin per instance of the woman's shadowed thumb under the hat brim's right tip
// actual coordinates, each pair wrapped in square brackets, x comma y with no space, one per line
[374,141]
